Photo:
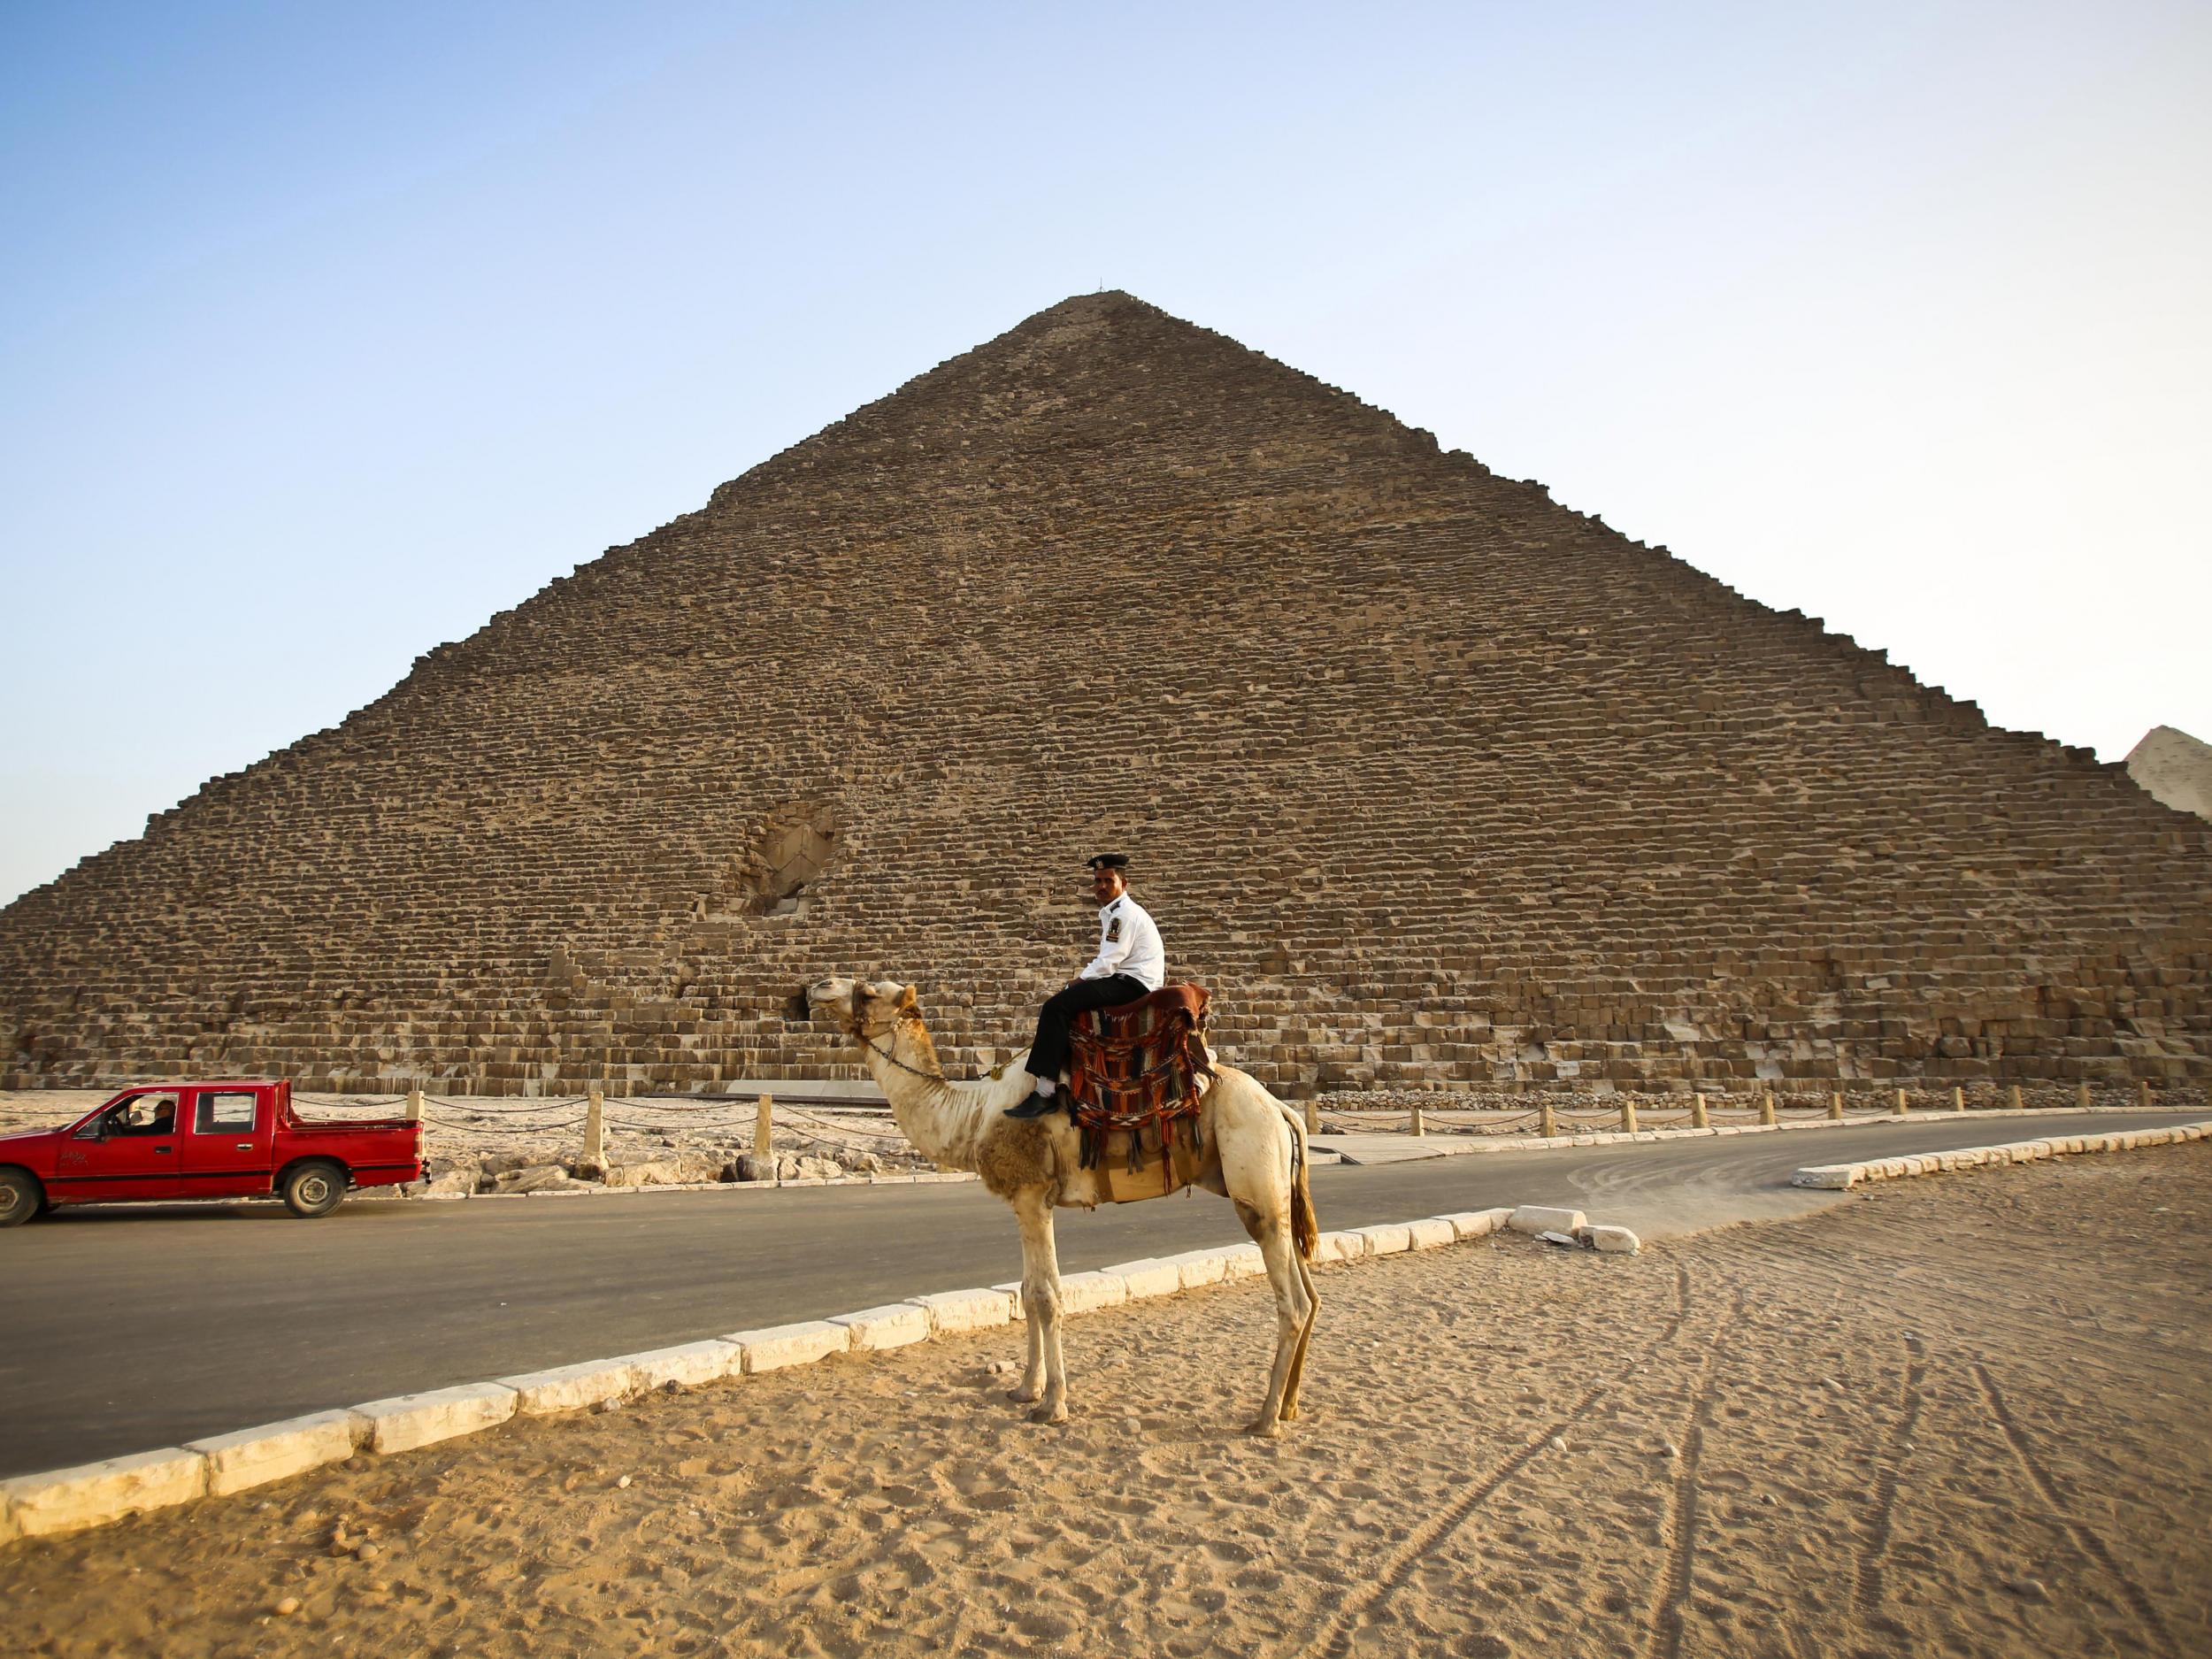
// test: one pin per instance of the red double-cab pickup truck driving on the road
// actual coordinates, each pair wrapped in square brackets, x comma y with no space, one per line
[220,1140]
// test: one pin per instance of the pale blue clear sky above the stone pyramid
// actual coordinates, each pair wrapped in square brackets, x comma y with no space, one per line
[331,331]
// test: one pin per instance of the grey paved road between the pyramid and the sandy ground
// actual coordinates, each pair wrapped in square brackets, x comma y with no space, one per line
[136,1328]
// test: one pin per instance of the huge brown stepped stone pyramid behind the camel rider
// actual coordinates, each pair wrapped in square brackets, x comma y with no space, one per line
[1434,782]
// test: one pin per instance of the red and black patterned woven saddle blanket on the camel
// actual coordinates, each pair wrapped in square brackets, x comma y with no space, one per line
[1136,1076]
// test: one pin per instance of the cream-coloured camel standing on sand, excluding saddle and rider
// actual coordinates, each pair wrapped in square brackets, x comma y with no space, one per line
[1253,1156]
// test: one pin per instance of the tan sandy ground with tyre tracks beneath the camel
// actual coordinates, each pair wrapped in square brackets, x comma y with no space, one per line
[1954,1417]
